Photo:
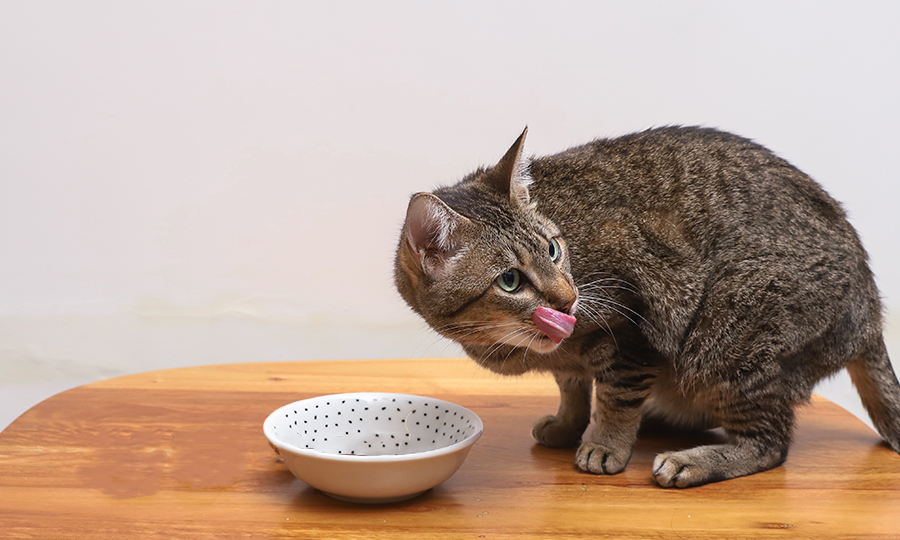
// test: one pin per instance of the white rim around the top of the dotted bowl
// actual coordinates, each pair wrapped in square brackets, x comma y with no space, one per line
[269,432]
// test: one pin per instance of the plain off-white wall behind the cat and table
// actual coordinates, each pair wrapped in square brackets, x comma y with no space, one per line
[192,182]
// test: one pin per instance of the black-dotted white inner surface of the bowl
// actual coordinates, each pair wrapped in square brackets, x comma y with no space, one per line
[374,424]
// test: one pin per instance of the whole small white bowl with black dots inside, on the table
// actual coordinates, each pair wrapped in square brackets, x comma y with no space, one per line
[373,447]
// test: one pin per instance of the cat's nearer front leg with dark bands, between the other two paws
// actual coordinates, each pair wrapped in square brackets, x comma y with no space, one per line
[619,397]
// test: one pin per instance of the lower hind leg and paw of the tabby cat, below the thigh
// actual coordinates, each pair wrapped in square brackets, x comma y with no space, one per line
[759,428]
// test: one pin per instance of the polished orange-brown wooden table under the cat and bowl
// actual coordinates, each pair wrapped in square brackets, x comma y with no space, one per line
[181,454]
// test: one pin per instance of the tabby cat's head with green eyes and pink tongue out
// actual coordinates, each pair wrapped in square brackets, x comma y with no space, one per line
[476,260]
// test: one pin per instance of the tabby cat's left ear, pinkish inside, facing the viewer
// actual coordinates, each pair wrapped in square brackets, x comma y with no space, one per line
[432,230]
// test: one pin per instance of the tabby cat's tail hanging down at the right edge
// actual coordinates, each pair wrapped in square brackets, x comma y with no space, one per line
[879,390]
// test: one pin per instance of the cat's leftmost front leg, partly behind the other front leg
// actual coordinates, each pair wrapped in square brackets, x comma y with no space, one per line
[566,427]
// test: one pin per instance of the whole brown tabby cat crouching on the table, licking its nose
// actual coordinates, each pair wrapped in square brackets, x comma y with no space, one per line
[680,274]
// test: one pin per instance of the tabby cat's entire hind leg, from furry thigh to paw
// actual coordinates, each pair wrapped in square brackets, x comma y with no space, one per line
[745,355]
